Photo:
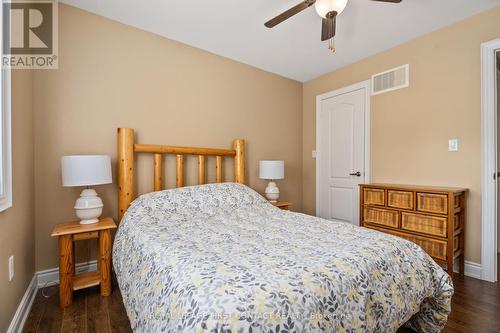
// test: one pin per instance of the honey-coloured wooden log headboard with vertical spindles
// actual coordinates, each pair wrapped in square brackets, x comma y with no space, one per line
[126,169]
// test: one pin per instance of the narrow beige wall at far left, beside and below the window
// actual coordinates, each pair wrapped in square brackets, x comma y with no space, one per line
[17,229]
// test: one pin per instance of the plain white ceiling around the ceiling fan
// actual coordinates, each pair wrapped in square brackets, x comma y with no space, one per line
[235,28]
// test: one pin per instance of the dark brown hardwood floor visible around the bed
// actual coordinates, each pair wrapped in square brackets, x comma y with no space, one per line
[475,309]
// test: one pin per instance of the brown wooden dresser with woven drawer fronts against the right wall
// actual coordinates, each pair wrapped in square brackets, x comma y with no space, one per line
[432,217]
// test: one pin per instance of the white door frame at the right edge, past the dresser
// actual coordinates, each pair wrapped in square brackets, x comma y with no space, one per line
[488,161]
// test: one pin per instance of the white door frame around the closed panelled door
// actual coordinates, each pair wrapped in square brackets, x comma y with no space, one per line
[367,142]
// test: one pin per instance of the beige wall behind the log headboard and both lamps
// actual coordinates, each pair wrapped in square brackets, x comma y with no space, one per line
[112,75]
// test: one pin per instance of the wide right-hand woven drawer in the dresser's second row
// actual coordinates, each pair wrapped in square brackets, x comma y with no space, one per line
[427,224]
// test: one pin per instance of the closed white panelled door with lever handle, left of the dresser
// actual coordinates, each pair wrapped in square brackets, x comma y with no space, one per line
[341,153]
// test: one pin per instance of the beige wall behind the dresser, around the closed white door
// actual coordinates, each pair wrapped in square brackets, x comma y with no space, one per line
[411,127]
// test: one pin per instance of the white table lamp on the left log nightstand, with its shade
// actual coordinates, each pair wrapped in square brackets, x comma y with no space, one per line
[87,170]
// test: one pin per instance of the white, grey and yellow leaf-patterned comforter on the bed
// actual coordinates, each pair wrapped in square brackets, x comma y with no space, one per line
[220,258]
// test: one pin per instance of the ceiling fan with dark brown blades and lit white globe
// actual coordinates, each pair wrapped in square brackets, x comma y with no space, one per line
[327,9]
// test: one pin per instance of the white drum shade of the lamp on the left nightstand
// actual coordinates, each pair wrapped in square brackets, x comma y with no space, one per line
[86,170]
